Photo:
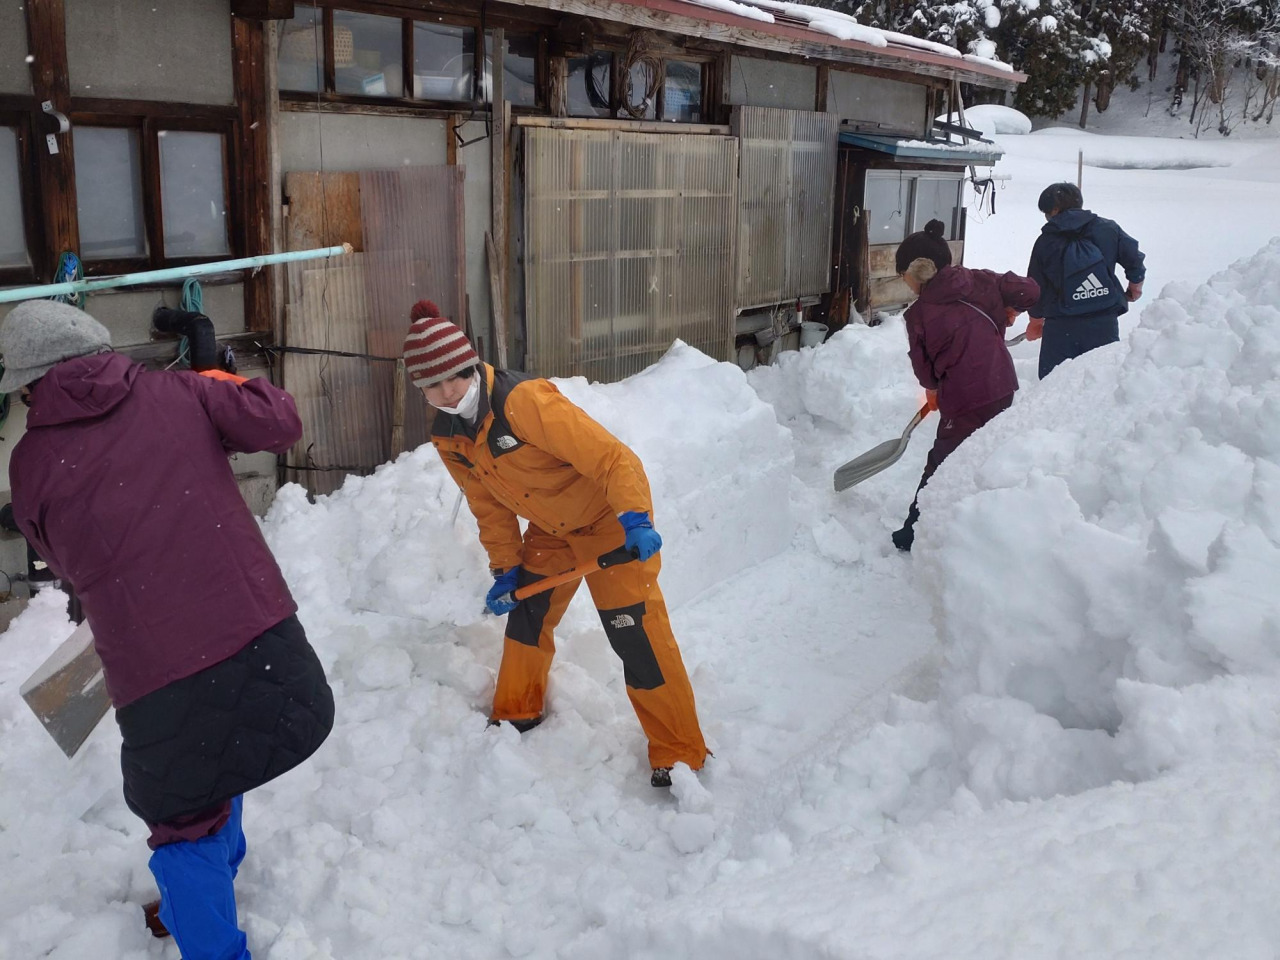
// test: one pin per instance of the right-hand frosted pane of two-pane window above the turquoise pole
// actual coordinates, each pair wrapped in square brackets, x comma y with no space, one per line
[193,194]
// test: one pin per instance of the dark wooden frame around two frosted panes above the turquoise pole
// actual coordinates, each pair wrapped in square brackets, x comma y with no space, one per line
[149,120]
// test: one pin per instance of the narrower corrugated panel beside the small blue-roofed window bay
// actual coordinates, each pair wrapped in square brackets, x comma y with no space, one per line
[787,202]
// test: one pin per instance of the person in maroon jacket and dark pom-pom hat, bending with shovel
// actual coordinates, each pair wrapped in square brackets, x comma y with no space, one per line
[957,336]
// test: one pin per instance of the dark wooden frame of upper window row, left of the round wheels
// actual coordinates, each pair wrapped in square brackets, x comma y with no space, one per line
[479,25]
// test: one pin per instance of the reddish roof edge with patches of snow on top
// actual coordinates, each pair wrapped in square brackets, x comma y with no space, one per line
[798,28]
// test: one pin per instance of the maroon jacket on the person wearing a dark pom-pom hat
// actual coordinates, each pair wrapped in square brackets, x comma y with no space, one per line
[957,335]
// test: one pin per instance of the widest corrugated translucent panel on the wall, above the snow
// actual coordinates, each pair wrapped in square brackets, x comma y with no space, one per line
[629,246]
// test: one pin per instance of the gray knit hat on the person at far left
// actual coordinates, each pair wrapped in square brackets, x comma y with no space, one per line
[42,333]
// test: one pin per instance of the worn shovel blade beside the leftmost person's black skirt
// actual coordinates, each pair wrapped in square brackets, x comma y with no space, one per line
[68,692]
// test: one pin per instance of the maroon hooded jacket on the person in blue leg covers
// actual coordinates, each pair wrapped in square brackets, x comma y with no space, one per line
[124,487]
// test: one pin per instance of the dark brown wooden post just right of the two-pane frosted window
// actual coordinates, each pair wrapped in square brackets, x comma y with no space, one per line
[252,184]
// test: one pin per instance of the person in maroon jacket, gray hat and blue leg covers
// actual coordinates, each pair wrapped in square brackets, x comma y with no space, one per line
[122,484]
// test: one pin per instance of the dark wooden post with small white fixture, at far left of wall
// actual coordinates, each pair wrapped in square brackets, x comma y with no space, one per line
[47,40]
